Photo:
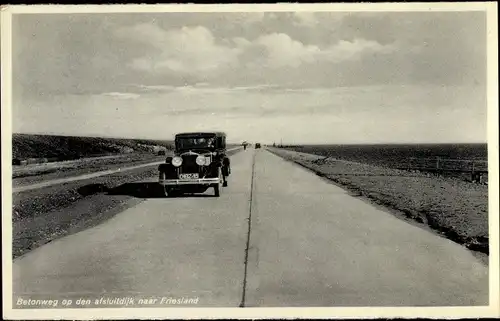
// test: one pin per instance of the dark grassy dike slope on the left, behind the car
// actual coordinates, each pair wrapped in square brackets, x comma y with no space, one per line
[60,148]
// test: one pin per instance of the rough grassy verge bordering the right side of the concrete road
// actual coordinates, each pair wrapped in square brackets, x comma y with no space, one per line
[455,208]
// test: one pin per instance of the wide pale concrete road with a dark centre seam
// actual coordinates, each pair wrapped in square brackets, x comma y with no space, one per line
[310,244]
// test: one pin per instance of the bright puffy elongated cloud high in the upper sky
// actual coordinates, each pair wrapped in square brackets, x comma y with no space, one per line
[195,51]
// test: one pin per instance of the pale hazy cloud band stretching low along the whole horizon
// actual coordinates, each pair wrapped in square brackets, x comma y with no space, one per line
[338,115]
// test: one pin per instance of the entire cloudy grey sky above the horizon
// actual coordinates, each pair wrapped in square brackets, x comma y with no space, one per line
[300,77]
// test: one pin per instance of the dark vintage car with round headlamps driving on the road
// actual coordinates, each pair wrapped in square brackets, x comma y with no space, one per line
[199,162]
